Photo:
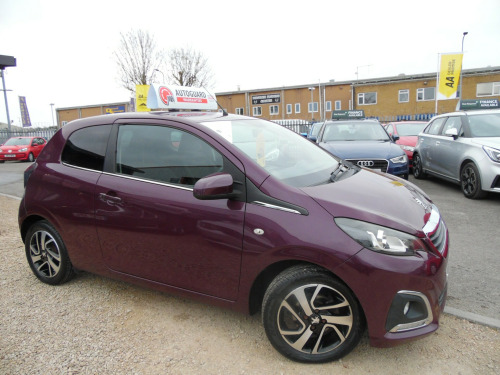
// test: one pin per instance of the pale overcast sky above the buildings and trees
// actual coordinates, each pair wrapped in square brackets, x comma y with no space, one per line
[64,48]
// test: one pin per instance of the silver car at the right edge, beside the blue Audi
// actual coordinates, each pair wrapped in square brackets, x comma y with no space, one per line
[462,147]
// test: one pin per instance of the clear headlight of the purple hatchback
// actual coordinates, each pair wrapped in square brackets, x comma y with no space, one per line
[381,239]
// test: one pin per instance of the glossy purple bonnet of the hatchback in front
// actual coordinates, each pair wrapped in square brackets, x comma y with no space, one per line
[376,198]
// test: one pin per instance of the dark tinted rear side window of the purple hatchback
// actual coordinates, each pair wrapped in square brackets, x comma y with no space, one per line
[86,147]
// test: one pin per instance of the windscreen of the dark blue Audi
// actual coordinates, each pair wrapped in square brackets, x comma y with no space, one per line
[354,131]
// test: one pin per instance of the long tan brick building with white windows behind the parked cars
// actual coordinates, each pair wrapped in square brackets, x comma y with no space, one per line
[388,99]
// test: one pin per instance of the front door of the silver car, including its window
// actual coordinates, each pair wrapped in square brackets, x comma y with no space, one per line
[448,151]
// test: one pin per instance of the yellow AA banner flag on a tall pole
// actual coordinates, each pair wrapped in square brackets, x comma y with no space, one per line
[449,75]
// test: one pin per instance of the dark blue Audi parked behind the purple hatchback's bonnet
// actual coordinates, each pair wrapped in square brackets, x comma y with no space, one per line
[364,143]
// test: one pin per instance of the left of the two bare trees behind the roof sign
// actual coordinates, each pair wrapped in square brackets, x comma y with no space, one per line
[137,58]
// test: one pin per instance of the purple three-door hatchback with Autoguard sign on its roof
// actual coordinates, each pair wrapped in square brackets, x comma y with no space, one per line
[242,213]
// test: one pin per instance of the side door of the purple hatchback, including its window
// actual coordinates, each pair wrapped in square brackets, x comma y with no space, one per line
[148,221]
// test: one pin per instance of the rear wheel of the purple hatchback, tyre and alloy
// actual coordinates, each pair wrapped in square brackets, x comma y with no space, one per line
[47,254]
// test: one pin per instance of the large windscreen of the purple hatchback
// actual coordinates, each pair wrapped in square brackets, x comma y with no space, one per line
[284,154]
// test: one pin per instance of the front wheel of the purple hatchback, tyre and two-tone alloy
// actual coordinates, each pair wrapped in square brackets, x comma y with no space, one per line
[309,316]
